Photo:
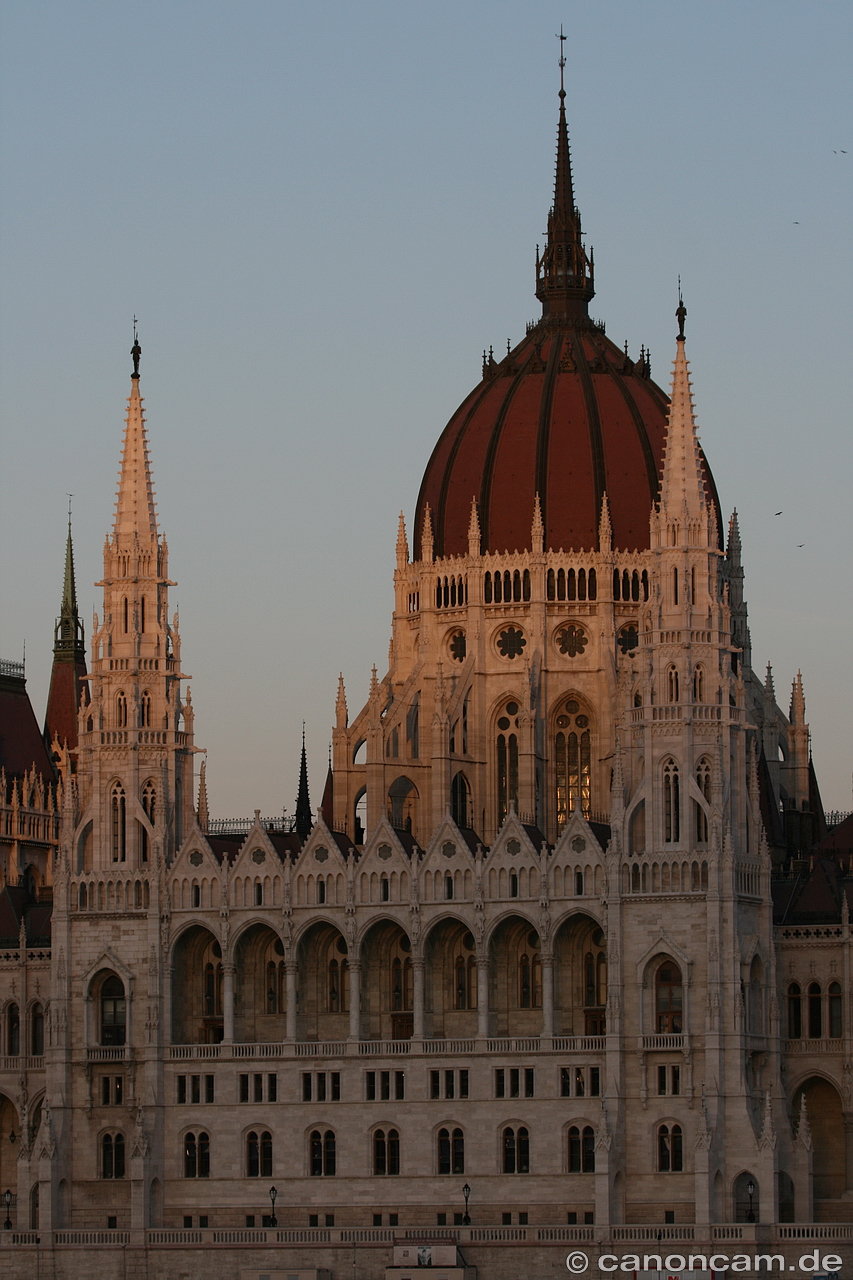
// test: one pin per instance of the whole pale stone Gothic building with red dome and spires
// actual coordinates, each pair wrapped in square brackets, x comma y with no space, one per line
[562,962]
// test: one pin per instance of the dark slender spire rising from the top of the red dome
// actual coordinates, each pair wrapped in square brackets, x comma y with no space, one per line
[565,275]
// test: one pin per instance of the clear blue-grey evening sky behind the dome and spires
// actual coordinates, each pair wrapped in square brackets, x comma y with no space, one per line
[322,214]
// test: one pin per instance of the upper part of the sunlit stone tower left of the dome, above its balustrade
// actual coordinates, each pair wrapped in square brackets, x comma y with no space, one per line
[135,760]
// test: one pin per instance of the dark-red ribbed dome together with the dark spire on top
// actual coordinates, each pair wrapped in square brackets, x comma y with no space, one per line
[567,415]
